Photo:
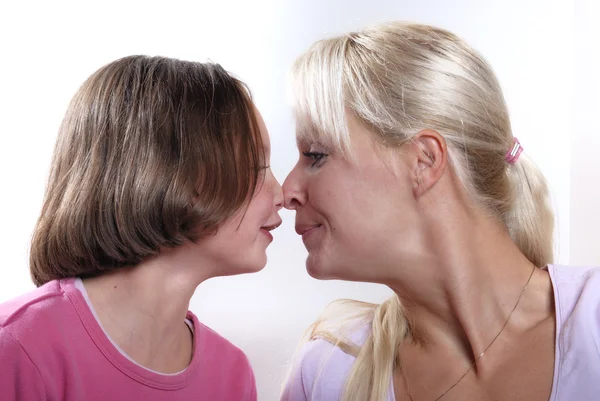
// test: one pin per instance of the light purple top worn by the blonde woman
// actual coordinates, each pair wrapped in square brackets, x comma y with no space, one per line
[322,369]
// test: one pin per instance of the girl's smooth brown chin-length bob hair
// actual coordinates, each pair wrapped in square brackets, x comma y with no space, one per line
[152,152]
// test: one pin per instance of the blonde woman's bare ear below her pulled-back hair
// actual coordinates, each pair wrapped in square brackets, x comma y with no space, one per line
[429,155]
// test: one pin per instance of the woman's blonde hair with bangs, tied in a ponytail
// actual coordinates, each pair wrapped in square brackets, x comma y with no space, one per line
[397,79]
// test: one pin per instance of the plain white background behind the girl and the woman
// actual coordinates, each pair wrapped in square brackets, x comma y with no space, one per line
[545,53]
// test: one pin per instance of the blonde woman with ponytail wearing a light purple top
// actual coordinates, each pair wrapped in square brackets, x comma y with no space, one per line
[410,176]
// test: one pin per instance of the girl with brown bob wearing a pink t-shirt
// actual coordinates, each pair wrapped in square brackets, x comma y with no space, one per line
[159,181]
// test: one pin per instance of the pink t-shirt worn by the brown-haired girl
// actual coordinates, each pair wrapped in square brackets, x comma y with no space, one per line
[53,348]
